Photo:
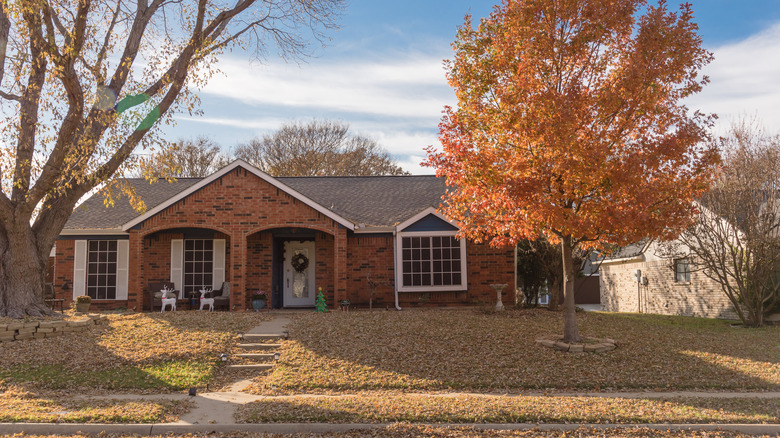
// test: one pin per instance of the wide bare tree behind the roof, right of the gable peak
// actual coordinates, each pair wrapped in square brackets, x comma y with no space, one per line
[318,148]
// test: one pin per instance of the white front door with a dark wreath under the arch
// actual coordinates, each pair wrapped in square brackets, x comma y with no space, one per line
[298,281]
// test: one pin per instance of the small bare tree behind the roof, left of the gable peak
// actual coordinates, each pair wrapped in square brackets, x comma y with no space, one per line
[187,158]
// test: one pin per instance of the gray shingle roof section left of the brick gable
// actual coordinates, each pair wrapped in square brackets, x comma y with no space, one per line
[93,214]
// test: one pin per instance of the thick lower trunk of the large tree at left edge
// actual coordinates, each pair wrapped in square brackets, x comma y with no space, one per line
[22,273]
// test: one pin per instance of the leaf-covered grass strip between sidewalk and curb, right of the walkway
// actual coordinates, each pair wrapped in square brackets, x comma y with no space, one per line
[423,408]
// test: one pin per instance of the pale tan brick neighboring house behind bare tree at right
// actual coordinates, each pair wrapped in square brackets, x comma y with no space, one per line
[664,286]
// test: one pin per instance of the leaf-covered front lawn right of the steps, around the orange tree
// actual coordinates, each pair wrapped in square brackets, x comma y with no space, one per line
[469,350]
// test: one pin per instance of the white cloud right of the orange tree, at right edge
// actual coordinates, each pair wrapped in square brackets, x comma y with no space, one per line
[744,81]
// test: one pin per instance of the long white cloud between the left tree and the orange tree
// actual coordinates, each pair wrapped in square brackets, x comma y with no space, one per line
[414,87]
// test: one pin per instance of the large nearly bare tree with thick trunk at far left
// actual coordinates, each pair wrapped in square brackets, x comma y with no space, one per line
[83,83]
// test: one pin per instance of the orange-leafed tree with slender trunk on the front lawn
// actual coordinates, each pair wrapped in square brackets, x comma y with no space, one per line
[570,124]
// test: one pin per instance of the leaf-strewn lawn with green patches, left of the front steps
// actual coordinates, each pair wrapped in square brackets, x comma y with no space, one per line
[147,352]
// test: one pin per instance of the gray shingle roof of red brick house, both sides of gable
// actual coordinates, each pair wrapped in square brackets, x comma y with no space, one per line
[379,201]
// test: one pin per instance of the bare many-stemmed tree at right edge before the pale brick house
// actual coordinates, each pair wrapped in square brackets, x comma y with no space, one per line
[735,240]
